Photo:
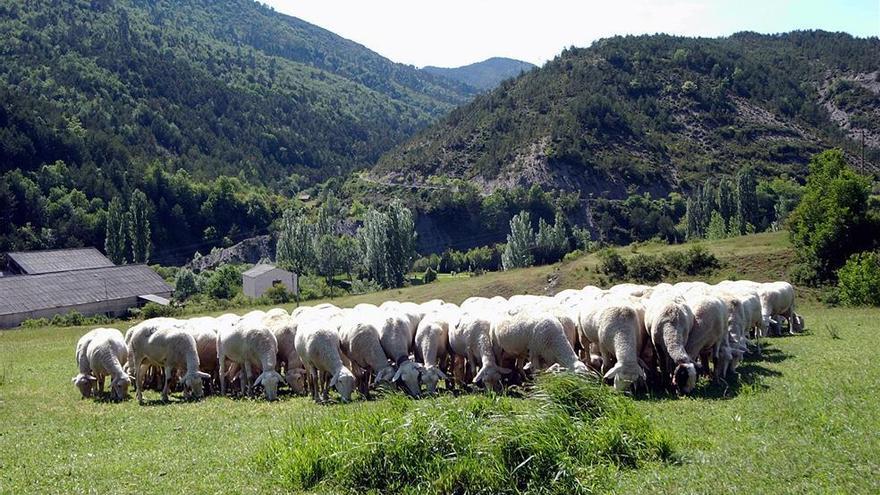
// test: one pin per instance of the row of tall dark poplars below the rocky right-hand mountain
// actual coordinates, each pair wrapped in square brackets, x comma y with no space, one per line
[728,209]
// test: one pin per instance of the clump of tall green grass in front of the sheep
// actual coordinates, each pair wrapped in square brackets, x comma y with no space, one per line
[569,435]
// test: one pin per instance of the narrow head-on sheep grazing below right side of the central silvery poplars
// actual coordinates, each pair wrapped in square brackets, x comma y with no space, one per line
[396,334]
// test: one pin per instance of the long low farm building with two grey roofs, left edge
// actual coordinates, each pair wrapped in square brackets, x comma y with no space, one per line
[40,284]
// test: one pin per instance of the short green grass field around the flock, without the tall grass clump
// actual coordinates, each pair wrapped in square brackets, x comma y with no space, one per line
[802,419]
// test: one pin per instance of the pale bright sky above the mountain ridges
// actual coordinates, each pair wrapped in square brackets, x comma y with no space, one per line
[451,33]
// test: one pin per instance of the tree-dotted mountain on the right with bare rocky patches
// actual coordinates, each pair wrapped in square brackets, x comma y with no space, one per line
[658,114]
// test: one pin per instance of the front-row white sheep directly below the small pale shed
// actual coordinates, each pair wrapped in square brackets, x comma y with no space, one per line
[251,344]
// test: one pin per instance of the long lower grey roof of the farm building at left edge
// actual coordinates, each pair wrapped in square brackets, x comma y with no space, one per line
[26,293]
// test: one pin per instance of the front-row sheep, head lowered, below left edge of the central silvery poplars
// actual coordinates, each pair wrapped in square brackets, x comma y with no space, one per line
[359,341]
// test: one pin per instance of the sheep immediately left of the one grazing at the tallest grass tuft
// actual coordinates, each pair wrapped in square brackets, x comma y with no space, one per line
[470,343]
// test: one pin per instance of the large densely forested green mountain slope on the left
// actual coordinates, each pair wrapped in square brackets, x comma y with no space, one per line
[222,87]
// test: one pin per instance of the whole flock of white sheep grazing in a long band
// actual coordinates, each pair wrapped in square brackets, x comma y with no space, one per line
[630,333]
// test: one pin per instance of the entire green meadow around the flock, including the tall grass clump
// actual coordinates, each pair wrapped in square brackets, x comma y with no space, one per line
[802,418]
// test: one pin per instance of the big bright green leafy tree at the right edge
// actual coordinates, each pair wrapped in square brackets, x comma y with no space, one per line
[831,222]
